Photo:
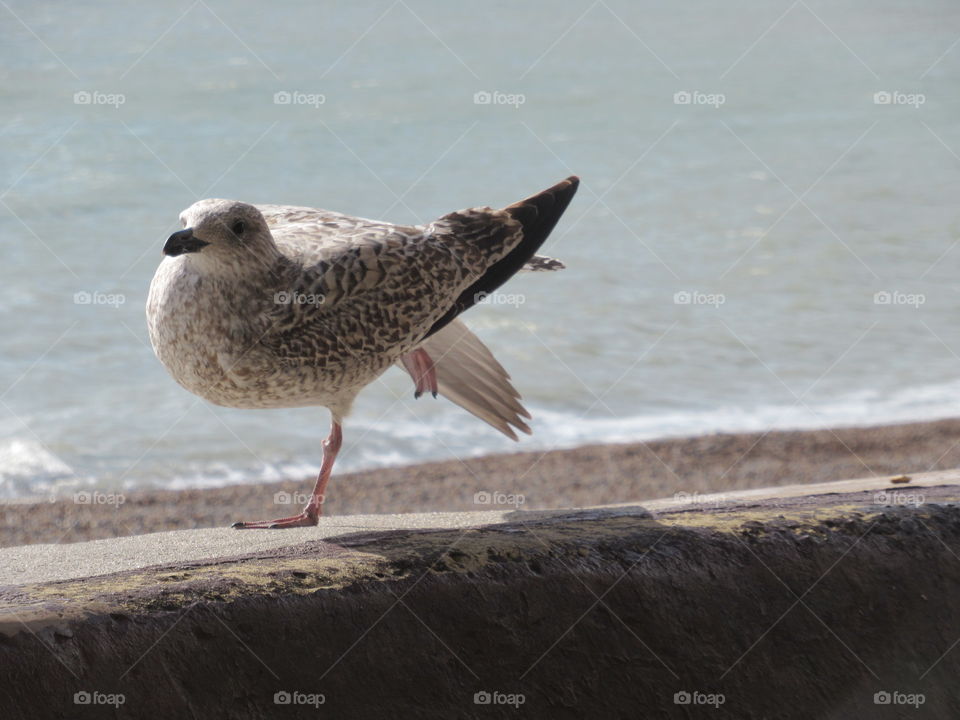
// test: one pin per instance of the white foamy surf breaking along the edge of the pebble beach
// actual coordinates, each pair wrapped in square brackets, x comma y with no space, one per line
[29,469]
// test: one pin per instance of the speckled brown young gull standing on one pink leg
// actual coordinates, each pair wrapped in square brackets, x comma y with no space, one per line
[273,306]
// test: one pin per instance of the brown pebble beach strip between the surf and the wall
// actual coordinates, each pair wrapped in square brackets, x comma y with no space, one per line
[529,480]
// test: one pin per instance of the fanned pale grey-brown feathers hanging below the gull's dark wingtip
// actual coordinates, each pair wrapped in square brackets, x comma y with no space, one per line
[469,375]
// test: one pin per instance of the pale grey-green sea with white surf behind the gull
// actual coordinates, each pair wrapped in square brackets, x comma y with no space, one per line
[766,234]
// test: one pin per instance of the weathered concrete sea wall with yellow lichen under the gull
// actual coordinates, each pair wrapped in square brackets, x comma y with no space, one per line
[800,602]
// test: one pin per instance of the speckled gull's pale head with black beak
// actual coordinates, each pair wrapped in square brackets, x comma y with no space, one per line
[224,232]
